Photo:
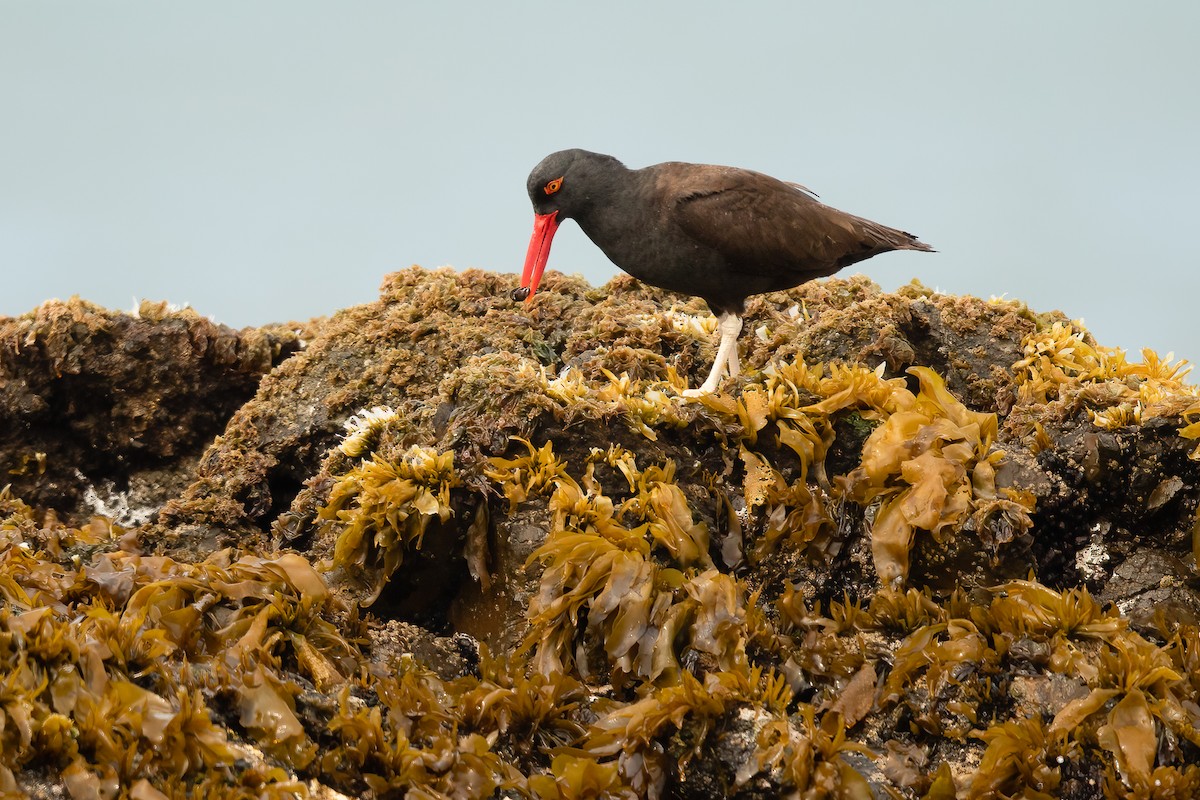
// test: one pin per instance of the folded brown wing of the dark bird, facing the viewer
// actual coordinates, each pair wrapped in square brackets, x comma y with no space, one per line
[764,226]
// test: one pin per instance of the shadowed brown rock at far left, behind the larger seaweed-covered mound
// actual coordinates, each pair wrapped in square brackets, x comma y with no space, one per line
[104,411]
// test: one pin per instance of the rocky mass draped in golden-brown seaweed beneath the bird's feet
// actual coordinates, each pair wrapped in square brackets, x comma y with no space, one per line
[925,548]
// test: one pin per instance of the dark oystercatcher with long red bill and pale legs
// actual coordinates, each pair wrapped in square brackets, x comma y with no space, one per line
[718,233]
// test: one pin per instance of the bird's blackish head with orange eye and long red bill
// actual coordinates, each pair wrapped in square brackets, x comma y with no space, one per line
[560,189]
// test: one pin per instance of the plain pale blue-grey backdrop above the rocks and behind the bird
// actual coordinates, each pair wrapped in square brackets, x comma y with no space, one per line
[274,160]
